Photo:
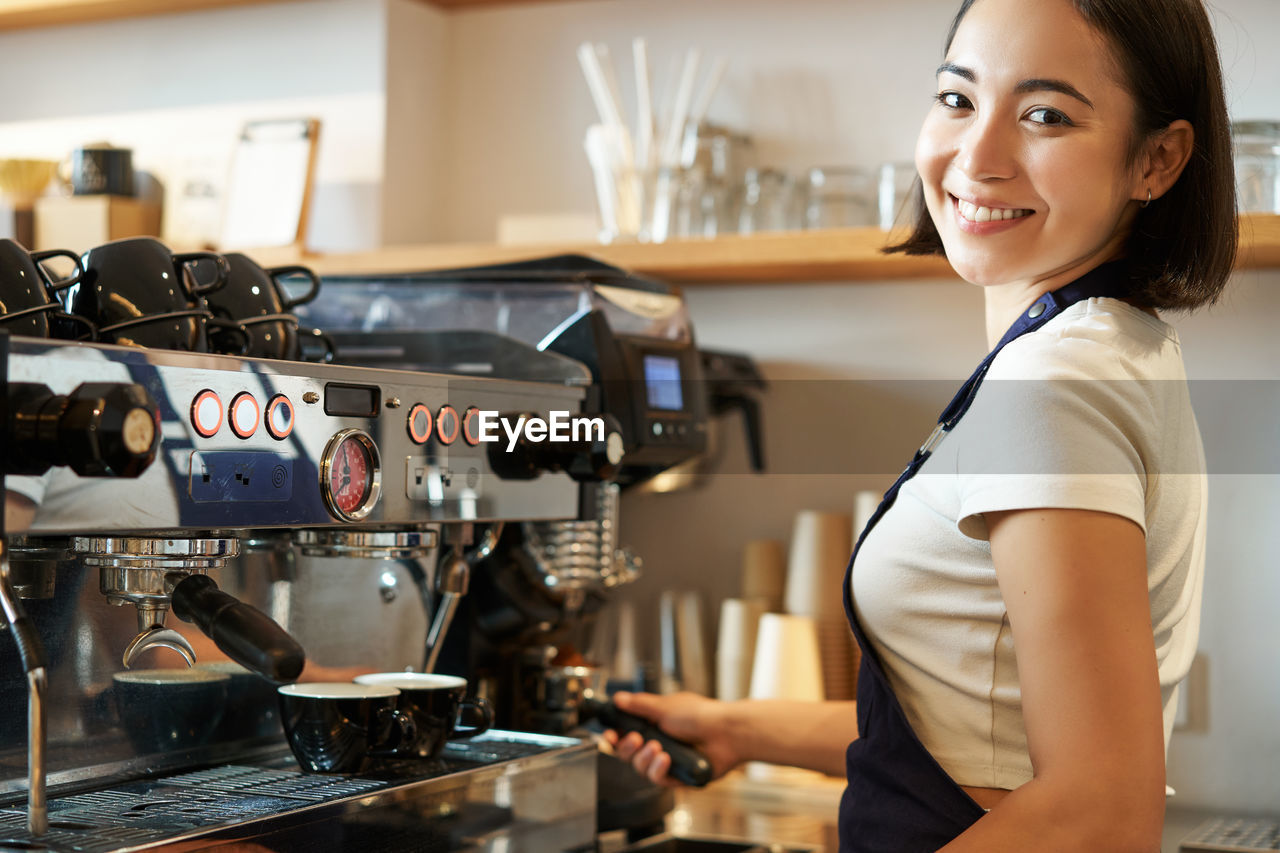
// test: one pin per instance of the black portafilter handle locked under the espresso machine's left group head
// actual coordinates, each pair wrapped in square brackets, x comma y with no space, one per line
[245,633]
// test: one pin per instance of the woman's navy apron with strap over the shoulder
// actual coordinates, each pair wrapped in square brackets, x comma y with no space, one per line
[899,800]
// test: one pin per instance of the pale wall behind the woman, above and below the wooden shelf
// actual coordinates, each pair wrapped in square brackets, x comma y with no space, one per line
[815,83]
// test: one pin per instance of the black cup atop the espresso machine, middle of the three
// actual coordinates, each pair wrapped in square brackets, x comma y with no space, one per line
[140,294]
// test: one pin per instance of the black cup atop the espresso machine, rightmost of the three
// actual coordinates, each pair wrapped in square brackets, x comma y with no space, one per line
[255,299]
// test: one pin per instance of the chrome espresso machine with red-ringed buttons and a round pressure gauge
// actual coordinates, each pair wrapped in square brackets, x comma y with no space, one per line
[300,516]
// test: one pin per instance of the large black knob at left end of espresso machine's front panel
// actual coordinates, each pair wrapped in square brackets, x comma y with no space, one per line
[100,430]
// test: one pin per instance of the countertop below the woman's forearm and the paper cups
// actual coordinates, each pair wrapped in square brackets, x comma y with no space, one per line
[799,808]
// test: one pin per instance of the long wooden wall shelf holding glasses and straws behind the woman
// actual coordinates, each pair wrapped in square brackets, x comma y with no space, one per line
[840,256]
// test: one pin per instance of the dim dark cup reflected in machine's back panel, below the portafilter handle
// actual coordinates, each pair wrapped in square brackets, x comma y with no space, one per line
[170,710]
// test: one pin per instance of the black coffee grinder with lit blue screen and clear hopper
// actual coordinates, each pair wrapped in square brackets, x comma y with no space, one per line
[531,618]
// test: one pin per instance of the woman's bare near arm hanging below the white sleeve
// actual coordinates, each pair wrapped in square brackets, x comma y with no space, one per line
[1075,583]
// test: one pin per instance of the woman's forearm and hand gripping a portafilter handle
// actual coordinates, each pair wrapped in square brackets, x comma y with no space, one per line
[801,735]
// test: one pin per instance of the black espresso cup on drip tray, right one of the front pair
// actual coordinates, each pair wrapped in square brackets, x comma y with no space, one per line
[437,705]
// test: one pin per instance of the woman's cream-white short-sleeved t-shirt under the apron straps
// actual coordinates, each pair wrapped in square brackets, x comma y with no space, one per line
[1090,412]
